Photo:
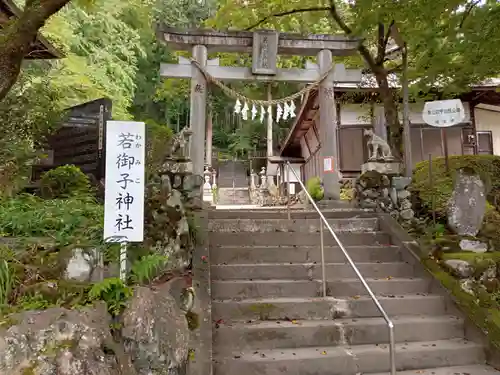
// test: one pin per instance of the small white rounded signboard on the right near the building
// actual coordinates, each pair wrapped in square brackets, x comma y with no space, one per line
[443,113]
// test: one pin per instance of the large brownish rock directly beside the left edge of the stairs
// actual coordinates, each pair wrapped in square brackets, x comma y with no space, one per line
[155,331]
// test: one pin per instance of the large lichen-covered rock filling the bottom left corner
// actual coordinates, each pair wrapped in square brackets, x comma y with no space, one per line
[58,341]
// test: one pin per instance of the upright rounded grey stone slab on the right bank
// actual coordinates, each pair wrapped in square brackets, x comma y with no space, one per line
[467,205]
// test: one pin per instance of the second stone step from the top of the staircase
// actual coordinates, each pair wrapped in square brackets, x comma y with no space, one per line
[294,225]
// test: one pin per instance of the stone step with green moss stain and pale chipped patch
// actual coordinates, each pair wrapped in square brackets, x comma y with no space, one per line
[328,308]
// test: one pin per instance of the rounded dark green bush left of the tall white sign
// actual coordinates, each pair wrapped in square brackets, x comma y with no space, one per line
[64,182]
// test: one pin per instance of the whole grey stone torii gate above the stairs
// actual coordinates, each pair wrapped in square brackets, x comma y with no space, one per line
[265,46]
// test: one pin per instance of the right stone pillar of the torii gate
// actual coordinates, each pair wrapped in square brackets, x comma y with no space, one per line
[328,129]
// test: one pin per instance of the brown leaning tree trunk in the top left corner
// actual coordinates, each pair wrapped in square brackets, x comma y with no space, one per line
[18,37]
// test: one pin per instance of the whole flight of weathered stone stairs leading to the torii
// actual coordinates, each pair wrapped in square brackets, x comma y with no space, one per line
[269,318]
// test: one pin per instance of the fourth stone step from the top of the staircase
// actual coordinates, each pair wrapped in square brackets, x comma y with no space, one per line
[303,254]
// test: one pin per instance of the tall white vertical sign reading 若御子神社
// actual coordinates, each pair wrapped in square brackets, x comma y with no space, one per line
[124,189]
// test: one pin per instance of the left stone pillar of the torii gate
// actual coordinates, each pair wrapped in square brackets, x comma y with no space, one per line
[198,110]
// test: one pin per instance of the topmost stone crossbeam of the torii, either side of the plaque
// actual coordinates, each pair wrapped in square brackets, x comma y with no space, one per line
[242,41]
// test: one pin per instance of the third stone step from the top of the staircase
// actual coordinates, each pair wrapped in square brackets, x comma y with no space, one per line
[297,239]
